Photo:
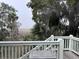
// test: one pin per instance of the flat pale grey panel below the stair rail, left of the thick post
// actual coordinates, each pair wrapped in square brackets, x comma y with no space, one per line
[42,54]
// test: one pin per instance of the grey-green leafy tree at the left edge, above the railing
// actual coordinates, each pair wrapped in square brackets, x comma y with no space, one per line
[8,24]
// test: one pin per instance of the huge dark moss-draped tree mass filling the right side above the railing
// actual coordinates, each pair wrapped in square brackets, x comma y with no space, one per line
[55,16]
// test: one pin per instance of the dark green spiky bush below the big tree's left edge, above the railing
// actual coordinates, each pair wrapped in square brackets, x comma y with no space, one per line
[38,33]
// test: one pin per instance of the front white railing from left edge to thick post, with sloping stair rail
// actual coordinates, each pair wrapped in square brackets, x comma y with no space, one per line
[22,49]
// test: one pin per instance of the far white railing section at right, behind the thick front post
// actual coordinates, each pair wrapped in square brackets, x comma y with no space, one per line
[71,43]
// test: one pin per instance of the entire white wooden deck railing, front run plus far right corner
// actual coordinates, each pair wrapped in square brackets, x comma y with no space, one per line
[23,49]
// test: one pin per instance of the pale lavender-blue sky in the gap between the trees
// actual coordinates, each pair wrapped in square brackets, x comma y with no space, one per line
[24,13]
